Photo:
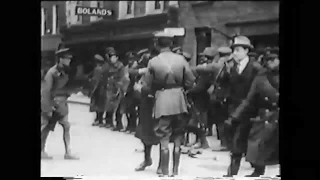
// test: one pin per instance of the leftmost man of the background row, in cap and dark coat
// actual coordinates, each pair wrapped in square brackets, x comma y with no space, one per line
[99,60]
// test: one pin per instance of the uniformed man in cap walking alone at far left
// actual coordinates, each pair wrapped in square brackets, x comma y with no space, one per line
[54,107]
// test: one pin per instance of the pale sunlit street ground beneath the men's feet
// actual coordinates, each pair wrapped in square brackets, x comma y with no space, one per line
[111,155]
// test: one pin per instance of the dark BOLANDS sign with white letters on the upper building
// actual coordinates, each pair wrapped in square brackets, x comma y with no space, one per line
[90,11]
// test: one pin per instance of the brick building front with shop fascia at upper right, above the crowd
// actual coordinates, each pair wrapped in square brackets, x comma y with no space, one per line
[256,19]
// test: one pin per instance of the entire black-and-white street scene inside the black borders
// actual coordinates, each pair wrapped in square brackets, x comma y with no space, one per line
[141,90]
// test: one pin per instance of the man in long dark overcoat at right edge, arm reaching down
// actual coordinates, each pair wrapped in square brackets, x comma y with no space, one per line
[261,105]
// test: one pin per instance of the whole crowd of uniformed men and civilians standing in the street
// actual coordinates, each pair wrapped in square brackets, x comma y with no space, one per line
[231,87]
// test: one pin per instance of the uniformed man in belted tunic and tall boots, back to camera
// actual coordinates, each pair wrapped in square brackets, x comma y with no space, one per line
[168,75]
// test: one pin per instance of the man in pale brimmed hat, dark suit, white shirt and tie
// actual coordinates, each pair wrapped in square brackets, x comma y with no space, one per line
[241,77]
